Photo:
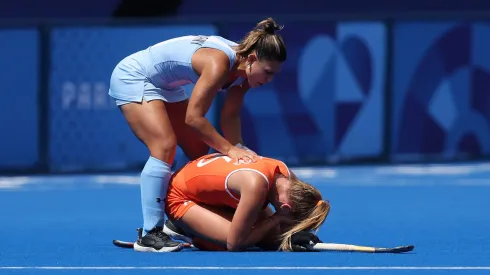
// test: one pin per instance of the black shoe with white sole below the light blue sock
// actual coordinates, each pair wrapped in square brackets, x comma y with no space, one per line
[156,241]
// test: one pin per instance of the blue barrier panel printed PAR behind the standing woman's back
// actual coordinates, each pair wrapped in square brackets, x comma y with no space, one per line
[87,131]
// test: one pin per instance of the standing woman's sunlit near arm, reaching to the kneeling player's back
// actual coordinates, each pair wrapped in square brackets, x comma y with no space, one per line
[213,73]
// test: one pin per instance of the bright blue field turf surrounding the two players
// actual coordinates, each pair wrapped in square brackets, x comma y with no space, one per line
[66,224]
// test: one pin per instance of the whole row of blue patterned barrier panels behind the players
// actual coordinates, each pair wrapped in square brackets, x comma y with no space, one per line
[326,106]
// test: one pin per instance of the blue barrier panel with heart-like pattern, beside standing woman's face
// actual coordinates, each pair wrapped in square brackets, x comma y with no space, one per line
[327,98]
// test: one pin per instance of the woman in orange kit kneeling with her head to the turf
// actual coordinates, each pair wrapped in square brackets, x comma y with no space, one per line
[201,191]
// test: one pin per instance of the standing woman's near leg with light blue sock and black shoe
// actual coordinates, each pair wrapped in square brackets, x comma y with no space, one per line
[151,124]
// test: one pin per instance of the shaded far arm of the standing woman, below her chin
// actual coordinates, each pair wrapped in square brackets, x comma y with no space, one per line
[230,114]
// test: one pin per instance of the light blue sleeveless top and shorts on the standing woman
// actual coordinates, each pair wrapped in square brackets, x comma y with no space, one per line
[160,71]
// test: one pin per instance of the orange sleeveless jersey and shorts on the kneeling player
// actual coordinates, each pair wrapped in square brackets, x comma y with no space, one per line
[205,180]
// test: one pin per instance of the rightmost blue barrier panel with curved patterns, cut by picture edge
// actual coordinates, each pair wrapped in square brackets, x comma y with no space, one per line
[441,91]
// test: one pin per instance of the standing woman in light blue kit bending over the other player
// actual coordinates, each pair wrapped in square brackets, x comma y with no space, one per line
[147,87]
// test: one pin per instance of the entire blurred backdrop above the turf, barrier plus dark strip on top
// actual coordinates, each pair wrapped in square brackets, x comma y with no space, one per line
[365,81]
